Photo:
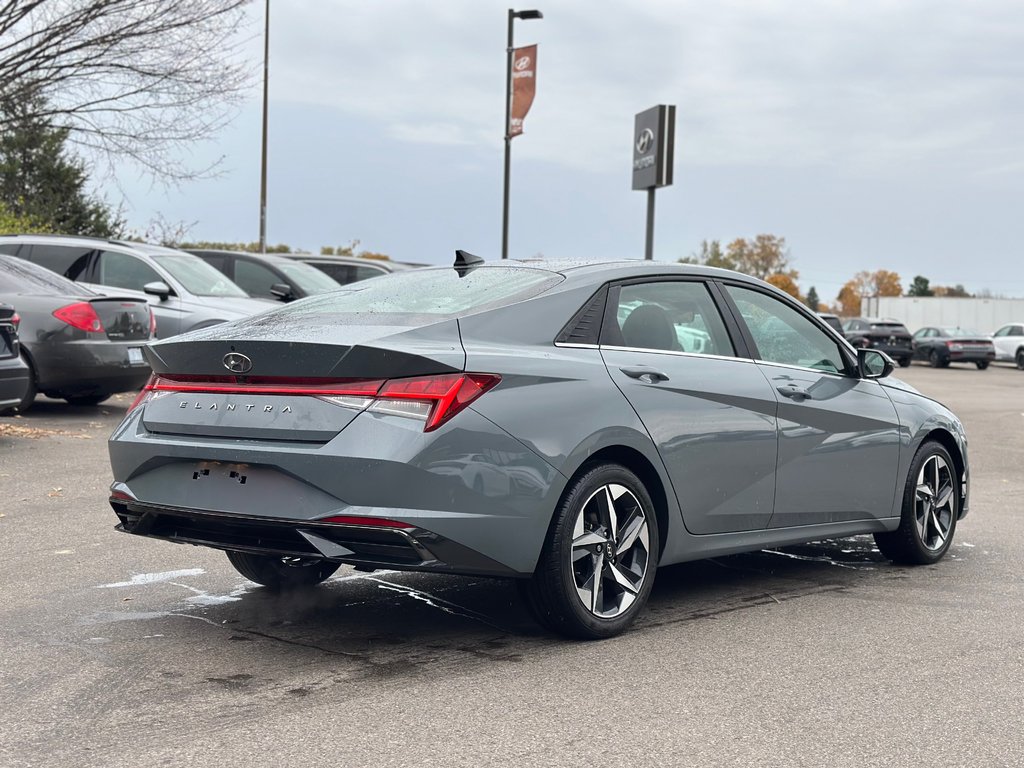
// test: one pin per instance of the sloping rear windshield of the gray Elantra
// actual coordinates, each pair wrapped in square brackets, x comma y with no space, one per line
[403,297]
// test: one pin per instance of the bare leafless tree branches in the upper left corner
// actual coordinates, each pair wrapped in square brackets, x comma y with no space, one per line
[136,79]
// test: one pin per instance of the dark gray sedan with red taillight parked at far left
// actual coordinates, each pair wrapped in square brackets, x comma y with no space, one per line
[78,345]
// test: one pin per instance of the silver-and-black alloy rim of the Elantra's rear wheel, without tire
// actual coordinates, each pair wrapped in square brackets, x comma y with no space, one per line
[611,551]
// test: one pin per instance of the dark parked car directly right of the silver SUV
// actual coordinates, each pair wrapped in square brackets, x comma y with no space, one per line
[267,276]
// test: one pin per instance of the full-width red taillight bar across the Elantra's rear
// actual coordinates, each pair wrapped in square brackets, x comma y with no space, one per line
[434,399]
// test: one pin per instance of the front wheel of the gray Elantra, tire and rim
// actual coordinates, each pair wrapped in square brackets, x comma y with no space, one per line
[926,530]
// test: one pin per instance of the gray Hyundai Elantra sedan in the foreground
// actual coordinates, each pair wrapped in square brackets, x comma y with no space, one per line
[570,425]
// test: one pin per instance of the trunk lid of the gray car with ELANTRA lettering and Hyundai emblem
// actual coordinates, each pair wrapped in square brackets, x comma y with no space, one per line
[295,383]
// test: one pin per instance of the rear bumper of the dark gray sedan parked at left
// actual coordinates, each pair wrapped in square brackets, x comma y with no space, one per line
[88,367]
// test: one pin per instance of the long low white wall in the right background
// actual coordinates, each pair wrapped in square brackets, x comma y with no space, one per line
[985,316]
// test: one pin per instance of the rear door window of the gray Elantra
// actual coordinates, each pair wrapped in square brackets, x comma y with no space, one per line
[673,317]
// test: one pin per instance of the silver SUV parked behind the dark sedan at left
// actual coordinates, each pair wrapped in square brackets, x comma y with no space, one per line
[184,291]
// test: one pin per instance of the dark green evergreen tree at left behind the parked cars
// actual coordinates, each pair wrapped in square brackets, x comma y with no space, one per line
[42,182]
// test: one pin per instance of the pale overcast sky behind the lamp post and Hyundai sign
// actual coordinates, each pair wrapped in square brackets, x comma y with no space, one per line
[870,135]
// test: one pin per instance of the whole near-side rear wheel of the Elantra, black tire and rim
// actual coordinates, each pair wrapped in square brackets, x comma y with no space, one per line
[556,594]
